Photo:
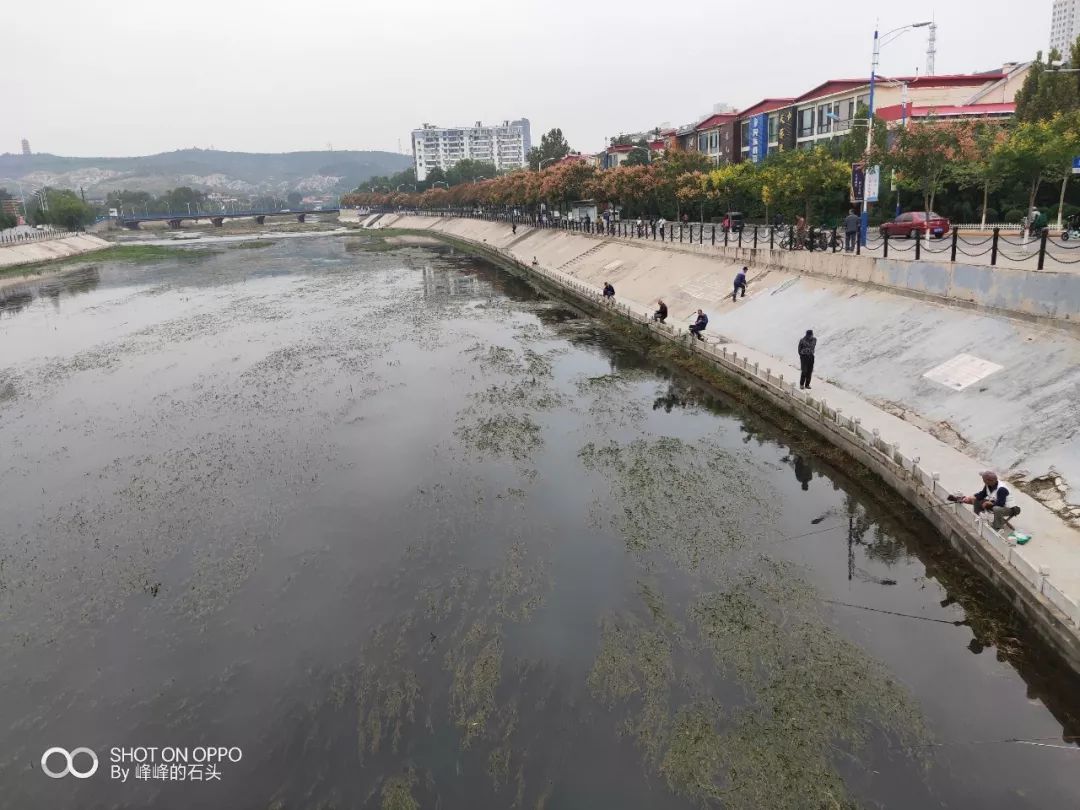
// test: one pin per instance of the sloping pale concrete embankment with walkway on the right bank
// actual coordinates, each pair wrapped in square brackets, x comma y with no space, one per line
[875,349]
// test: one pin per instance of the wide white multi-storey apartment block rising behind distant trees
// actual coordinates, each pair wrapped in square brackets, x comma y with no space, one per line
[506,145]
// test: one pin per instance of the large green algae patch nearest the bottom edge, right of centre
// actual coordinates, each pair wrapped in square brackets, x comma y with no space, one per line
[812,697]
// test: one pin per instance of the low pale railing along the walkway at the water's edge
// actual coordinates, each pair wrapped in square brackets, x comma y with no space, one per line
[926,484]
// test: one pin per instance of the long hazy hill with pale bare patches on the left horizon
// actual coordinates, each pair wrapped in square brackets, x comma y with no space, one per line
[242,173]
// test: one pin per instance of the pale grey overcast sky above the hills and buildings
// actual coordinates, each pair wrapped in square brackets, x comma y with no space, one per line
[121,78]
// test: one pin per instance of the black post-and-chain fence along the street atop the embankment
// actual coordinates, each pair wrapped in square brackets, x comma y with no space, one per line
[970,248]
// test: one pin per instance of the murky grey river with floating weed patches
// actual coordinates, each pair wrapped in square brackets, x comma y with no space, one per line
[398,532]
